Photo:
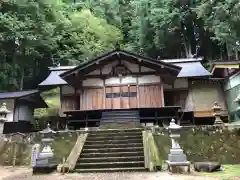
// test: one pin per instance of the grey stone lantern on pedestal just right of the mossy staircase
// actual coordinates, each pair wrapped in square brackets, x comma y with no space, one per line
[176,158]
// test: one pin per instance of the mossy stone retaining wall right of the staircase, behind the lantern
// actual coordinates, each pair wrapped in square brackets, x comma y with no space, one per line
[205,143]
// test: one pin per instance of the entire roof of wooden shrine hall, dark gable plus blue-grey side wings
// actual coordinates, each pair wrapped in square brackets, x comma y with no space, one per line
[189,67]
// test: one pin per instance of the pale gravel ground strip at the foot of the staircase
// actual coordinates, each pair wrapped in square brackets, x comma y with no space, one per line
[26,174]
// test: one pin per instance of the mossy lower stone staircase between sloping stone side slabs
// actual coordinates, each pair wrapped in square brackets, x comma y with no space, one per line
[112,150]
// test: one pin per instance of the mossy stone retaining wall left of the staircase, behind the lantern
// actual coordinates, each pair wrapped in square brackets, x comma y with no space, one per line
[62,146]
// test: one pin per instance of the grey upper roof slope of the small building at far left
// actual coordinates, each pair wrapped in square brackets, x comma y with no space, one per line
[17,94]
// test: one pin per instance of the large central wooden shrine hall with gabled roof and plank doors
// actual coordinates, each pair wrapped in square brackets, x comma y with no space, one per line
[121,86]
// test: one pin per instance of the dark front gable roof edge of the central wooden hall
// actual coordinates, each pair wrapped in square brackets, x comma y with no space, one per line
[123,55]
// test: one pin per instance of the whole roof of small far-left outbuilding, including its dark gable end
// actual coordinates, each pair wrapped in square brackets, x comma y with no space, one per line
[32,96]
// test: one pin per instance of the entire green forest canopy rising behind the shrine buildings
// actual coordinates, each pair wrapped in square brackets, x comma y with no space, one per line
[35,34]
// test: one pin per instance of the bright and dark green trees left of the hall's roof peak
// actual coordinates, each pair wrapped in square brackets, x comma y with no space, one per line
[35,34]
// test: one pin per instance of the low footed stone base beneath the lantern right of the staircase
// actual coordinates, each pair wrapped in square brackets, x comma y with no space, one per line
[178,167]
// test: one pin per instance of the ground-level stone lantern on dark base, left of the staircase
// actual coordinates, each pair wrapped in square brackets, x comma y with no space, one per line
[45,161]
